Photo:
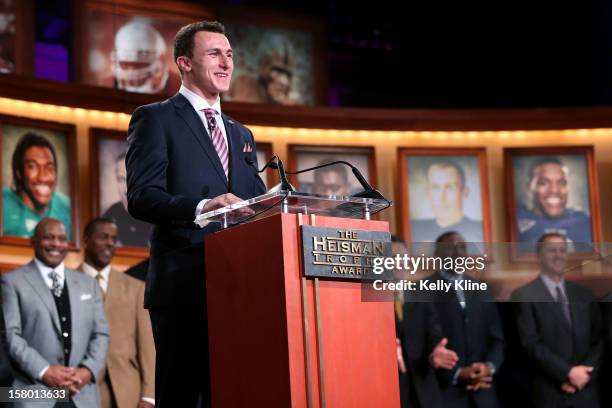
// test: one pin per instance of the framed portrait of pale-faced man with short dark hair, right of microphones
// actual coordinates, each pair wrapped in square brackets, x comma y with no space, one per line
[444,190]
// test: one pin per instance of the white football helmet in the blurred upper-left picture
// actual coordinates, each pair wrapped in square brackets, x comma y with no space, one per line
[138,58]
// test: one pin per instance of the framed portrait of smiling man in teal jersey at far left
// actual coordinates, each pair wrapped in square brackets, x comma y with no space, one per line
[39,178]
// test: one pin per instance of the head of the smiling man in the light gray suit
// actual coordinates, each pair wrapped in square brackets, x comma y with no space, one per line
[50,242]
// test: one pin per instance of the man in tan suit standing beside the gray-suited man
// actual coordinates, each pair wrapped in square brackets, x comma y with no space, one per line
[129,378]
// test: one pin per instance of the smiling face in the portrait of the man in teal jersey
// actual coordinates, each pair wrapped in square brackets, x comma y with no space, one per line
[39,177]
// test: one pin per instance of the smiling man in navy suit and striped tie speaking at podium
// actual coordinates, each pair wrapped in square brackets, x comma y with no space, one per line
[185,158]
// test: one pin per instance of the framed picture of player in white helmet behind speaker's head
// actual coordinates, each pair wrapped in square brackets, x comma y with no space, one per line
[128,45]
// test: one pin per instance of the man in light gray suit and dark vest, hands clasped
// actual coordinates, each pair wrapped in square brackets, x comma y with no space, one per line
[55,326]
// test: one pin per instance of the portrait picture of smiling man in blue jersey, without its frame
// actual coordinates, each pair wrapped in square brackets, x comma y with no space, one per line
[556,201]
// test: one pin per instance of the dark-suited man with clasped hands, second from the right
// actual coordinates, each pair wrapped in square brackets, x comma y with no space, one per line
[470,321]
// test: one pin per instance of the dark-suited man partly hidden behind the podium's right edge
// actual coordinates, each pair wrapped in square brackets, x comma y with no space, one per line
[421,347]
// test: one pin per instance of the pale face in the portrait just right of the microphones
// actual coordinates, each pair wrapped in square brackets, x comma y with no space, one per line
[446,192]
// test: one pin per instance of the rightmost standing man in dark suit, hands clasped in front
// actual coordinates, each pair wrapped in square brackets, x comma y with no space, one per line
[560,329]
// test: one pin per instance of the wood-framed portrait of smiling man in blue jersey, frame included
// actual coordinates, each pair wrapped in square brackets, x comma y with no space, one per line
[552,189]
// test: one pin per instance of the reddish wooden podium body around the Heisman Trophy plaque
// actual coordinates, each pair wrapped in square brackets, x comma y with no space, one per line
[278,339]
